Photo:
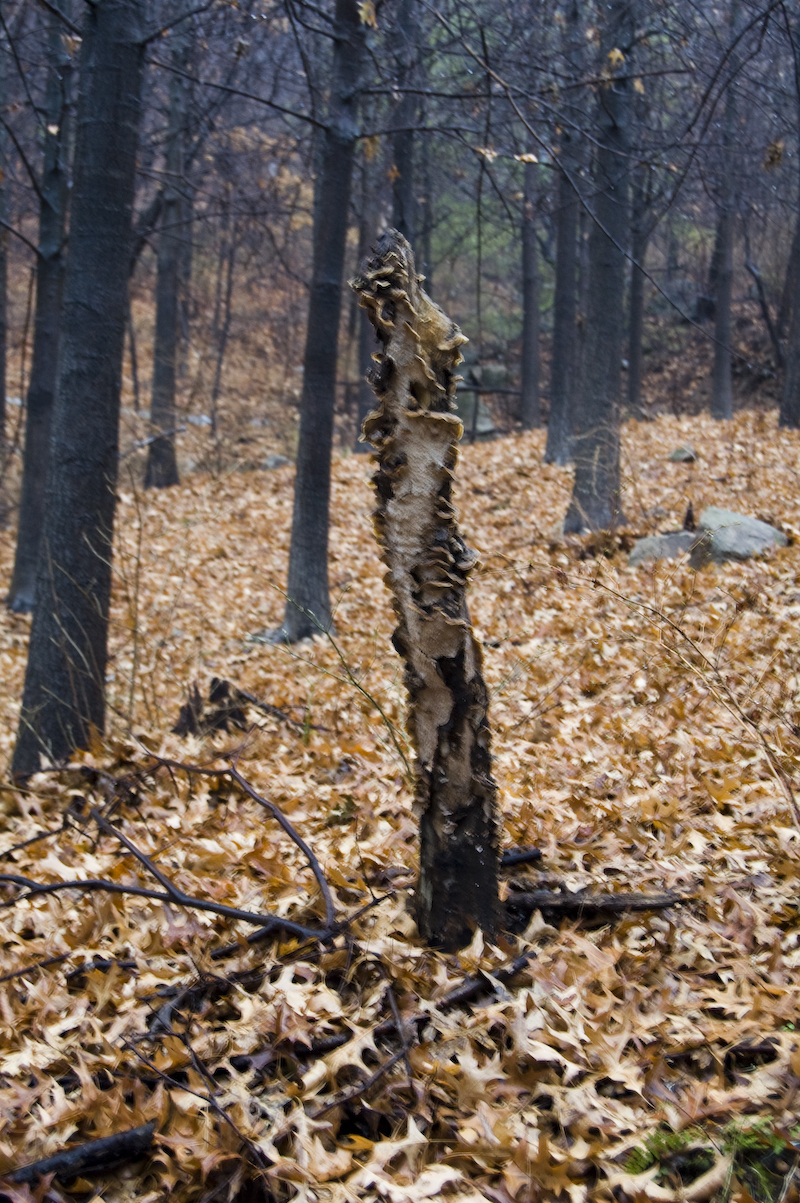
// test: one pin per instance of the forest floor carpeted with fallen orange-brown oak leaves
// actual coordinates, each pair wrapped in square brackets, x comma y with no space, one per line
[647,733]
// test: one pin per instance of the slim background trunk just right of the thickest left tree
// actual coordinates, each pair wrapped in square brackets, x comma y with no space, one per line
[162,463]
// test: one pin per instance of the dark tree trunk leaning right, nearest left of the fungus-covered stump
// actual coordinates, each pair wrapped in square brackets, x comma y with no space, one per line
[309,607]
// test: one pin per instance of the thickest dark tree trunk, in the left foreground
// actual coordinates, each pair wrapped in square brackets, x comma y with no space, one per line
[64,695]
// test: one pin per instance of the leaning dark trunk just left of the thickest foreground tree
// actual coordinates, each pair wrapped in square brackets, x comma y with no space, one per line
[50,281]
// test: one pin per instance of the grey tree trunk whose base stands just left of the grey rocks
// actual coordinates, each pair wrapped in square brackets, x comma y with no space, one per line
[596,493]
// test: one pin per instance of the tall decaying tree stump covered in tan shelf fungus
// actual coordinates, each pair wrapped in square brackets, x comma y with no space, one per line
[416,436]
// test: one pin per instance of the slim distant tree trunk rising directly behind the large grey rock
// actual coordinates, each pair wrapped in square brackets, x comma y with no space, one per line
[722,394]
